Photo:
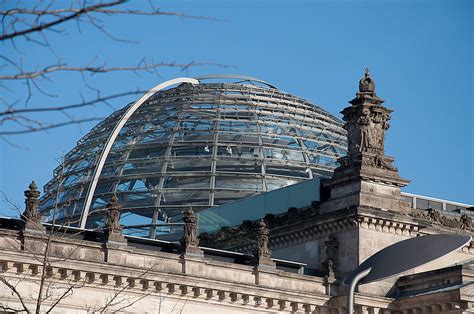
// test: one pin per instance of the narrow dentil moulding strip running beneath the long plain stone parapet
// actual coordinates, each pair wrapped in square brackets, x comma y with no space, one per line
[153,282]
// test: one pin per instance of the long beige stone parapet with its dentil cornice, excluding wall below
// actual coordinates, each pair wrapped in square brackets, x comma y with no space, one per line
[149,272]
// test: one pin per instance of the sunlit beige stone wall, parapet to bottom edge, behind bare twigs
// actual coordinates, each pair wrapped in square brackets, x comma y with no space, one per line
[149,280]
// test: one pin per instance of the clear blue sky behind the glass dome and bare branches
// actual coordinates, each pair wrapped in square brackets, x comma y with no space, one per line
[420,54]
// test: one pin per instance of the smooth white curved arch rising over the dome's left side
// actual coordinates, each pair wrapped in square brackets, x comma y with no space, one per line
[114,134]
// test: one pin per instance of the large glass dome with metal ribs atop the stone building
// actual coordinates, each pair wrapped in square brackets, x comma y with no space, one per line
[198,144]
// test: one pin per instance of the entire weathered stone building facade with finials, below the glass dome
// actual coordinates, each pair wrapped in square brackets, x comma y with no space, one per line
[251,268]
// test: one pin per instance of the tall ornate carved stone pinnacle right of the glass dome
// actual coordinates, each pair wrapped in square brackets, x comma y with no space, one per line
[366,176]
